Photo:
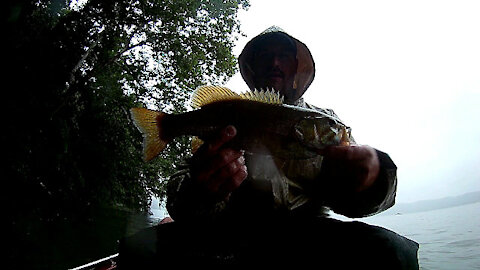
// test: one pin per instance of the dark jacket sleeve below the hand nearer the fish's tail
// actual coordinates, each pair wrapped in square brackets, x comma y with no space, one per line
[185,199]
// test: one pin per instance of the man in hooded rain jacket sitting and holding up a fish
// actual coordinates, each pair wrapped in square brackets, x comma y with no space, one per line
[237,209]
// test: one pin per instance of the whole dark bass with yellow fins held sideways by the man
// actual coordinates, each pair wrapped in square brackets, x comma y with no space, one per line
[264,124]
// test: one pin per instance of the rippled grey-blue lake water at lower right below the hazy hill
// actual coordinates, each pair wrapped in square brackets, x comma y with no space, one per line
[449,238]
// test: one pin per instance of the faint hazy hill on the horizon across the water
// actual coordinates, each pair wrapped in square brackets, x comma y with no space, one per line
[427,205]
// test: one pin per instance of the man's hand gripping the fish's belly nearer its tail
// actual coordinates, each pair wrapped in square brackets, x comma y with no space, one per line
[220,170]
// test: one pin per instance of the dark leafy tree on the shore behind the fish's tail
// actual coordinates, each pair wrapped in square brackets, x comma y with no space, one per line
[72,73]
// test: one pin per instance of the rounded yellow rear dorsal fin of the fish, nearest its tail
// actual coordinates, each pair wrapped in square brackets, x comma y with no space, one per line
[207,94]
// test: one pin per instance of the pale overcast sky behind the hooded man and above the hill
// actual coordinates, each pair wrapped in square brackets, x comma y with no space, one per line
[405,75]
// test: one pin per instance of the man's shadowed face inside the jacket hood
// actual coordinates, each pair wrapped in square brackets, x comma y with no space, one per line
[275,66]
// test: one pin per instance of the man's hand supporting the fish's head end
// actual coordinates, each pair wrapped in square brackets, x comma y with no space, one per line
[358,166]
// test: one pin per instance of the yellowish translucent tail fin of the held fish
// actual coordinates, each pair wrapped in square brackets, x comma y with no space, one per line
[147,122]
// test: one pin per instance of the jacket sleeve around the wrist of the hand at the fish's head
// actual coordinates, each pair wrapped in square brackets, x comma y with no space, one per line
[379,197]
